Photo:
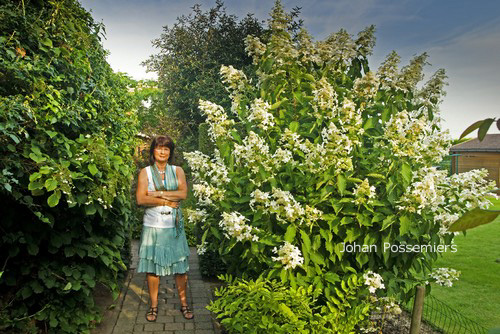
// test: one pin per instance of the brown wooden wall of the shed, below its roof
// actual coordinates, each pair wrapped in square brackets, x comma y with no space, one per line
[476,160]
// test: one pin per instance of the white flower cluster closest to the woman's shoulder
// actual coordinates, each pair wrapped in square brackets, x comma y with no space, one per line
[205,168]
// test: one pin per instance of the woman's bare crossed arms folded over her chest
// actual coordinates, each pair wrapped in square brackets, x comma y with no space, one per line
[157,198]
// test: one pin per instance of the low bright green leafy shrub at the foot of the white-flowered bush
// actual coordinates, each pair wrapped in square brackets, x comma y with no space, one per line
[270,306]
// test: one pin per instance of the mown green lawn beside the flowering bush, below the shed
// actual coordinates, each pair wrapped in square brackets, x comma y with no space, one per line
[477,293]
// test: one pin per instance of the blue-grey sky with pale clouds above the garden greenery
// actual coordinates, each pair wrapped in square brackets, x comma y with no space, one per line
[461,36]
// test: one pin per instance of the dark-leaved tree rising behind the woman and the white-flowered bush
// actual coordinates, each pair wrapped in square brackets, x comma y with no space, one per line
[191,53]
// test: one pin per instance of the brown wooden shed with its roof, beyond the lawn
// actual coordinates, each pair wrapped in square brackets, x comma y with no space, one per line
[475,154]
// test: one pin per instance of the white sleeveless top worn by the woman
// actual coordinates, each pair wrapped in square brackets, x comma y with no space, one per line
[161,216]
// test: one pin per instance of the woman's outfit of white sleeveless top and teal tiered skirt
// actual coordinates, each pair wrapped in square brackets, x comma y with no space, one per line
[164,249]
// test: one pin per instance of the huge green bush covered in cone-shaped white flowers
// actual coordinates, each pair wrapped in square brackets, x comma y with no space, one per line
[326,152]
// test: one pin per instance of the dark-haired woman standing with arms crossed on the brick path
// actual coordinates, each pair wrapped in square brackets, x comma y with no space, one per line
[164,249]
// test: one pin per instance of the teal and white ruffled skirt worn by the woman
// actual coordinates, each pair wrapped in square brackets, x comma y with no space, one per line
[162,253]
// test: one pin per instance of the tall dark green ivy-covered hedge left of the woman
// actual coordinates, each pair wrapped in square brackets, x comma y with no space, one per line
[66,140]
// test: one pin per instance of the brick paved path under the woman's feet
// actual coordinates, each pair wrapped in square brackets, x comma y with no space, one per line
[134,304]
